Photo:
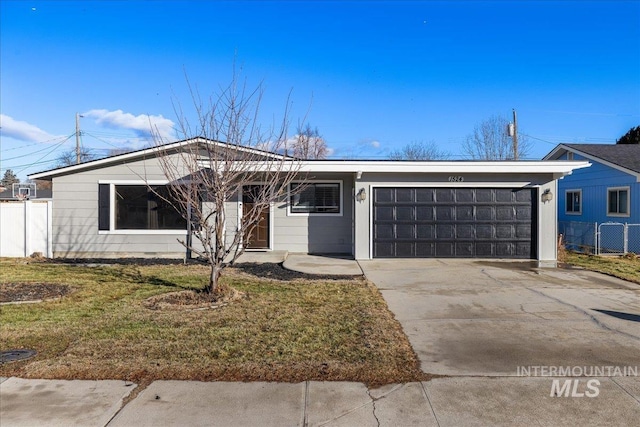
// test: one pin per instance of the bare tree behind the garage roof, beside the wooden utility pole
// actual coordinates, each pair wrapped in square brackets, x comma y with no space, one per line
[490,140]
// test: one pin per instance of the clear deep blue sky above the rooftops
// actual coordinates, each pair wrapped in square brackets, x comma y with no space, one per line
[373,76]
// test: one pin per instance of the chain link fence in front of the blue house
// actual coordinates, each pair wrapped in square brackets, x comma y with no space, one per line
[607,238]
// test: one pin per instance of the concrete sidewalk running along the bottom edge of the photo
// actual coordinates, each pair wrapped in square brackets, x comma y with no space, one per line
[461,401]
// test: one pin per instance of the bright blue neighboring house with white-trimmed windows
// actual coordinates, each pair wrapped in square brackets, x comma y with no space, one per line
[606,192]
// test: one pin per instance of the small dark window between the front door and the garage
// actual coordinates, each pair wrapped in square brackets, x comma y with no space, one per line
[316,198]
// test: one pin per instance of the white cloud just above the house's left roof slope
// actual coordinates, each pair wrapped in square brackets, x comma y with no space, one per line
[141,124]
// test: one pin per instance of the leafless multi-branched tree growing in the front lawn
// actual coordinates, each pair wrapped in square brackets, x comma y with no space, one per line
[225,157]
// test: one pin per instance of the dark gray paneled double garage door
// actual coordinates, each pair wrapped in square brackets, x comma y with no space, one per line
[454,222]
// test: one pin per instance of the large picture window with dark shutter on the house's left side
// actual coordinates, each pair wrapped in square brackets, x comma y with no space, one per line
[137,207]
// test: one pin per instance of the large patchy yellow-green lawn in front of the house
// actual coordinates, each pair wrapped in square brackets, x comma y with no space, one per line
[282,330]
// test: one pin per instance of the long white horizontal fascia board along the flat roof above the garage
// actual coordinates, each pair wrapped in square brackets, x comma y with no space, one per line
[535,167]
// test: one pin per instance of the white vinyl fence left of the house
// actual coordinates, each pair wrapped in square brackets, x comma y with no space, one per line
[25,228]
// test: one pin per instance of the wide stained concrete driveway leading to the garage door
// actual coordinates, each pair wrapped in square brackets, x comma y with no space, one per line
[474,317]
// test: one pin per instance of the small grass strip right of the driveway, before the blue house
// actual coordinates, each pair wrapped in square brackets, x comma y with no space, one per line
[623,267]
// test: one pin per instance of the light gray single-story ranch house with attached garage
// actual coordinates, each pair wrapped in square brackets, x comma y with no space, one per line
[363,208]
